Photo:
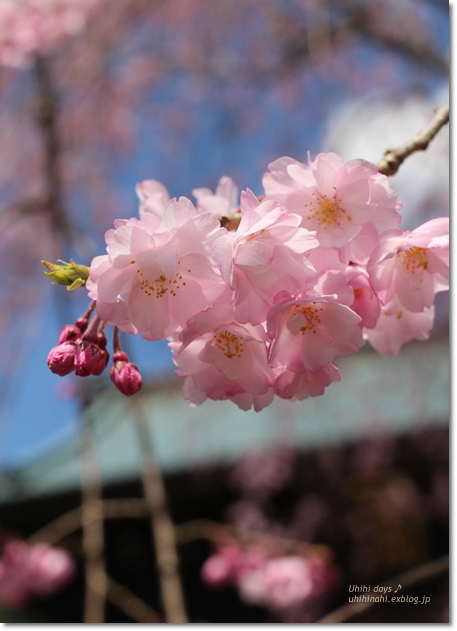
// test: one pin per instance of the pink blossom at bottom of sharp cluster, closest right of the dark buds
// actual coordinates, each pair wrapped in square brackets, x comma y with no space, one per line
[224,359]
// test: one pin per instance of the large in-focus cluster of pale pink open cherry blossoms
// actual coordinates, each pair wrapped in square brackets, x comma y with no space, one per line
[314,267]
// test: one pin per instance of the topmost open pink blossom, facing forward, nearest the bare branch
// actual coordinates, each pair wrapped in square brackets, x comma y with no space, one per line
[347,204]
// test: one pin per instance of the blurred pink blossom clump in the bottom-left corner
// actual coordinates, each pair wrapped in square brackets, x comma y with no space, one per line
[36,571]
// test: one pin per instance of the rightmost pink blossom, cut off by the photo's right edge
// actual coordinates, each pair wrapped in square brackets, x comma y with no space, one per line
[412,265]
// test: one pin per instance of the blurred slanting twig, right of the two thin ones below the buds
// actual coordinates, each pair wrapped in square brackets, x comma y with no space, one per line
[161,524]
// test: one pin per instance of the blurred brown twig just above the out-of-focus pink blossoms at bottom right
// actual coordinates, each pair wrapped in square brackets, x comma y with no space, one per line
[226,533]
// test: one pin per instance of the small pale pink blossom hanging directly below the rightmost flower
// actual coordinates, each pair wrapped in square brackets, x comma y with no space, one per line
[396,326]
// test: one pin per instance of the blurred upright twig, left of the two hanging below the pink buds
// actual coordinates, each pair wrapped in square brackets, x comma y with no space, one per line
[93,528]
